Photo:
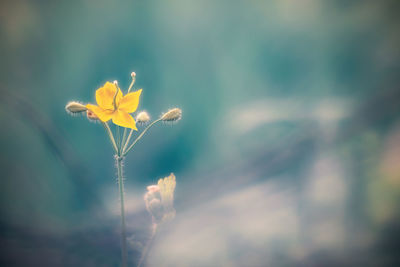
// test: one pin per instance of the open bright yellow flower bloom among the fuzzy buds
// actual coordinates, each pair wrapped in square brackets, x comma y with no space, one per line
[113,105]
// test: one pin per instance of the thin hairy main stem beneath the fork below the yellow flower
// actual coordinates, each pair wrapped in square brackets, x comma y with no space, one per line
[121,195]
